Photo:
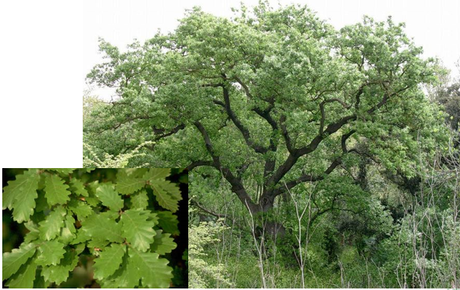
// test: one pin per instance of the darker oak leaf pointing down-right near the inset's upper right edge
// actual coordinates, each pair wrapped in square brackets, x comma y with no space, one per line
[167,194]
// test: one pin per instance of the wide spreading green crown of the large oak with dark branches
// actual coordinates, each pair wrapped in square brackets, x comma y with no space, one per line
[270,99]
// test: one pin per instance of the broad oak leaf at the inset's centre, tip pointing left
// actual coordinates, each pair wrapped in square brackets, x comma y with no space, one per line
[102,227]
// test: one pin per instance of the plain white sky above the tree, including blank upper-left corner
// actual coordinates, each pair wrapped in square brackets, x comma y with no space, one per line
[49,46]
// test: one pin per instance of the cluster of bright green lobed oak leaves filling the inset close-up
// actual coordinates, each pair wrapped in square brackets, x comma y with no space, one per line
[82,216]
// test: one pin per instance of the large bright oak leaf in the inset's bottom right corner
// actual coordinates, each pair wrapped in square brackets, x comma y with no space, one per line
[154,271]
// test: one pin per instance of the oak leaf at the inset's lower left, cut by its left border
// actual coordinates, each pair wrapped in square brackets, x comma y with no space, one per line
[16,258]
